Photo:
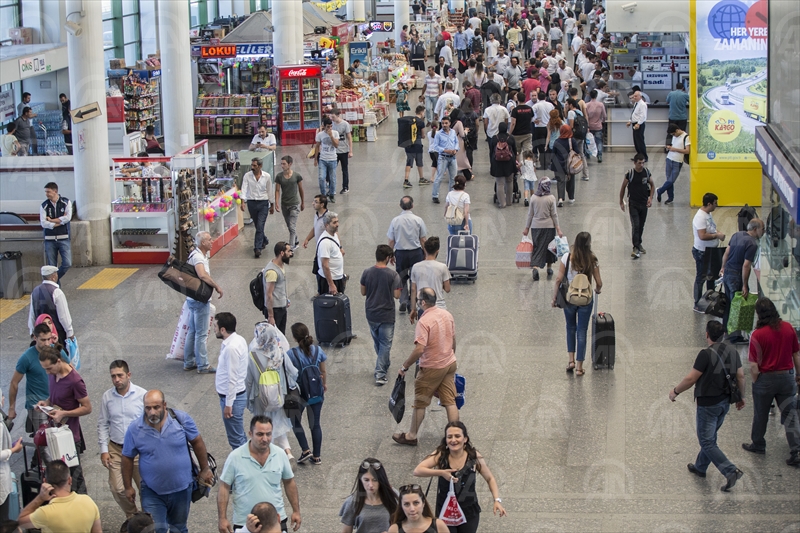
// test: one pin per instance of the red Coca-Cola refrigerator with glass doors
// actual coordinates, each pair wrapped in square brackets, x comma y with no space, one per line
[299,102]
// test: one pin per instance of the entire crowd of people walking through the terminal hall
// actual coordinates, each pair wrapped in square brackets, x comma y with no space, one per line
[539,116]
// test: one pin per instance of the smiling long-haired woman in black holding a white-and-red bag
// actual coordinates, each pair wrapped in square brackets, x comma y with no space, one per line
[455,459]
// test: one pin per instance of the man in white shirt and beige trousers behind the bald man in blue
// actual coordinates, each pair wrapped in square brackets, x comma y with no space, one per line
[121,405]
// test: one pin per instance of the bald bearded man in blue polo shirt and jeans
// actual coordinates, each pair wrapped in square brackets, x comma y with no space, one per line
[159,439]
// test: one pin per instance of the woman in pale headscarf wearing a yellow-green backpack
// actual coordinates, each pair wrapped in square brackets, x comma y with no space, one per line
[268,348]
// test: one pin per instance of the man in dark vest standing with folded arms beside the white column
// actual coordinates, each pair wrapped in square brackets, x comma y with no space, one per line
[54,215]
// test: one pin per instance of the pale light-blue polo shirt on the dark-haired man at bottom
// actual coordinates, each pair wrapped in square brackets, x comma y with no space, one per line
[252,483]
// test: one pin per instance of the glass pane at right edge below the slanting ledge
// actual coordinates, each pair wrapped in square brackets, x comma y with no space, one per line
[780,257]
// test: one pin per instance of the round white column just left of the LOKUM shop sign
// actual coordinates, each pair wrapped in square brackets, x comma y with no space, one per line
[176,76]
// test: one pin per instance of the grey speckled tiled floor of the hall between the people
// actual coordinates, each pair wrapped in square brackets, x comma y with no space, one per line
[605,452]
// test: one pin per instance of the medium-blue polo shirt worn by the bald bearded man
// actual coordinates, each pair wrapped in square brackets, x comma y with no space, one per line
[164,462]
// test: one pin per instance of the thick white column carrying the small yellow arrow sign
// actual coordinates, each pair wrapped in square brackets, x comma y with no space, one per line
[90,137]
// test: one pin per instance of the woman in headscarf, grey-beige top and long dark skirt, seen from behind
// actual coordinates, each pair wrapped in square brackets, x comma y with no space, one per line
[542,222]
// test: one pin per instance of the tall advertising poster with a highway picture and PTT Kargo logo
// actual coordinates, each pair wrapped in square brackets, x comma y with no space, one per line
[731,51]
